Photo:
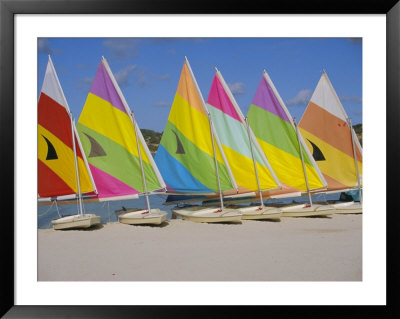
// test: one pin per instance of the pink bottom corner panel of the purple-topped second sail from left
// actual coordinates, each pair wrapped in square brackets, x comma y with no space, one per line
[108,186]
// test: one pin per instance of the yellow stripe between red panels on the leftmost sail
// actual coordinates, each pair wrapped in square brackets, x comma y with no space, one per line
[64,164]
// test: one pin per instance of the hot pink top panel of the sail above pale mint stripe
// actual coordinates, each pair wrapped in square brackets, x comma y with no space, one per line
[220,100]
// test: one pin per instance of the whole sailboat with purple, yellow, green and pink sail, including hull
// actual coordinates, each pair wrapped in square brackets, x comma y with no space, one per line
[119,159]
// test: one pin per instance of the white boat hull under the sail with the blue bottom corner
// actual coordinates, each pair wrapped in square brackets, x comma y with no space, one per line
[201,214]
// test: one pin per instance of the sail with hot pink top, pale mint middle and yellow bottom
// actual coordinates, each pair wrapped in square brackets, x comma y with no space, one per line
[233,134]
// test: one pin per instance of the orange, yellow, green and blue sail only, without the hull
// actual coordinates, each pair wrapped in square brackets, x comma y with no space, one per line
[185,155]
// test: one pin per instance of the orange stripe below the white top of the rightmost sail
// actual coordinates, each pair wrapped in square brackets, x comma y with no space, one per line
[330,128]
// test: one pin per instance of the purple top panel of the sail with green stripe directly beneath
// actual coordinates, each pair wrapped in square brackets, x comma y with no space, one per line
[266,99]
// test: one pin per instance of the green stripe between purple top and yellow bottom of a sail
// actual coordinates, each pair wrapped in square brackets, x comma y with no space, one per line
[280,133]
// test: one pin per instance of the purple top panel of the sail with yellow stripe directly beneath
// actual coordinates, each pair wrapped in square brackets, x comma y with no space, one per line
[104,88]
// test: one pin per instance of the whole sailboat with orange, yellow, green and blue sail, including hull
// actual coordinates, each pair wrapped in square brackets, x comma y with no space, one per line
[190,157]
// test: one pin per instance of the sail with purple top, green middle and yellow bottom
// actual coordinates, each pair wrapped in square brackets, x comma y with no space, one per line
[275,131]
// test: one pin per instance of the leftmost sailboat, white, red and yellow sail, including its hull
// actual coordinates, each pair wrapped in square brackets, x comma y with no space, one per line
[62,166]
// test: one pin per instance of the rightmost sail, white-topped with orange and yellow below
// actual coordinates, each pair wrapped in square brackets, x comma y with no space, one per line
[328,135]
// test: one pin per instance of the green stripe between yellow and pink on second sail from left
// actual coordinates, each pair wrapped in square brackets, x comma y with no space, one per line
[116,161]
